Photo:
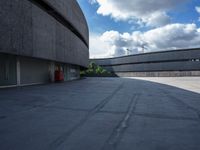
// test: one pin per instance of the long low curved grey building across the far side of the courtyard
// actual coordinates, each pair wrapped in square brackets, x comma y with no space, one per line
[184,62]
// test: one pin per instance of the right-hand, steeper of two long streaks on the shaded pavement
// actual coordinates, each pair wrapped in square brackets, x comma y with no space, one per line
[115,137]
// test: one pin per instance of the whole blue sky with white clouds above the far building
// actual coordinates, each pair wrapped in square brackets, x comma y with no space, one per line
[116,25]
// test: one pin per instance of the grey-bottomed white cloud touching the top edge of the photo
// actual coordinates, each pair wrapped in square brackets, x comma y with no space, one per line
[150,12]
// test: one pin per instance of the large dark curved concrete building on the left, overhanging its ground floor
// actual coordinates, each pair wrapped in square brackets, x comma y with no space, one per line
[40,36]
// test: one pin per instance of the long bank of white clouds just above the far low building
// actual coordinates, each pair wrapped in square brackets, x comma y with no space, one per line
[169,37]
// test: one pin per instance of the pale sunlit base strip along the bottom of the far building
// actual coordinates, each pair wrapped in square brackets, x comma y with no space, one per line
[158,74]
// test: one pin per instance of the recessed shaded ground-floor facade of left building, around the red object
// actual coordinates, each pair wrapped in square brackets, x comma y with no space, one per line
[20,70]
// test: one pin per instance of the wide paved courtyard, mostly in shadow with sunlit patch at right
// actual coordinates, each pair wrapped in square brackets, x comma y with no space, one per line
[102,114]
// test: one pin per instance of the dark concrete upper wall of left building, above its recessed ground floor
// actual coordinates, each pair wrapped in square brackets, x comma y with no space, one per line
[28,30]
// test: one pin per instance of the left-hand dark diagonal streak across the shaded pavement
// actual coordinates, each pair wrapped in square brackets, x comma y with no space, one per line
[55,144]
